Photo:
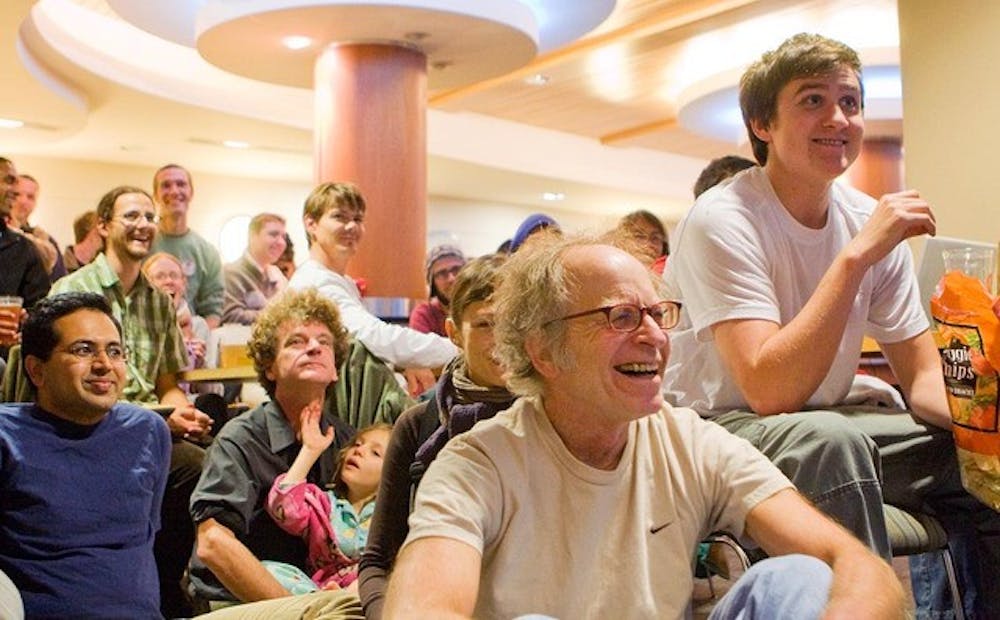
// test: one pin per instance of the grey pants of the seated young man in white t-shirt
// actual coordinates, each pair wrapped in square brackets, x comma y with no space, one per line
[850,460]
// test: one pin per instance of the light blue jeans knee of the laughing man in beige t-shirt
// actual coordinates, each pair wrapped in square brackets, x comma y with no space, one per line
[790,586]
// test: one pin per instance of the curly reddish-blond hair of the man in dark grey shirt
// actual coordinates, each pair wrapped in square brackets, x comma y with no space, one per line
[306,306]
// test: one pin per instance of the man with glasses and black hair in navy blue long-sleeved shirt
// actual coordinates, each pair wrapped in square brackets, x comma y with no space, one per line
[81,474]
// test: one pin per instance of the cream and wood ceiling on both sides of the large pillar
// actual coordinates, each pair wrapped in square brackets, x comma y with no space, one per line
[91,86]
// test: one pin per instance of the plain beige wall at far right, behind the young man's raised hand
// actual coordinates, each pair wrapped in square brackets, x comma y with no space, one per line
[948,53]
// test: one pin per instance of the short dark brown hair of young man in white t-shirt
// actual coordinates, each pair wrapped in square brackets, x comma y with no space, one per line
[802,55]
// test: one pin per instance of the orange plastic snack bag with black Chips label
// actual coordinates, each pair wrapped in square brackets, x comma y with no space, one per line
[968,337]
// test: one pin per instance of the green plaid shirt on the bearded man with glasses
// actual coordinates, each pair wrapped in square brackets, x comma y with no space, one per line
[149,325]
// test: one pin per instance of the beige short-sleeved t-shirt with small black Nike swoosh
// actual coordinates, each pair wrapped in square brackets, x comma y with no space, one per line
[564,539]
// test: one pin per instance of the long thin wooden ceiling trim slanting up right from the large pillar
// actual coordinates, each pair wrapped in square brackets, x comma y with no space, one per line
[673,16]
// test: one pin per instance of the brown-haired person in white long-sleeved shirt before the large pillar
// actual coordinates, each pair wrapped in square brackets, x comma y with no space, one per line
[334,217]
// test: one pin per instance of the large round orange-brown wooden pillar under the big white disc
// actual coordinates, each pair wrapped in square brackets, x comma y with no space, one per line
[371,130]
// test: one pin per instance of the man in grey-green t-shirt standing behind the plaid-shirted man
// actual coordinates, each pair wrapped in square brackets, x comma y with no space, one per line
[173,190]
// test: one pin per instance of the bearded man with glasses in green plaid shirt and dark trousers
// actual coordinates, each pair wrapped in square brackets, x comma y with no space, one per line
[126,219]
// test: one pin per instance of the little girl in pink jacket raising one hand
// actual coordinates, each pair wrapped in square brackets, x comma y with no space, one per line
[333,523]
